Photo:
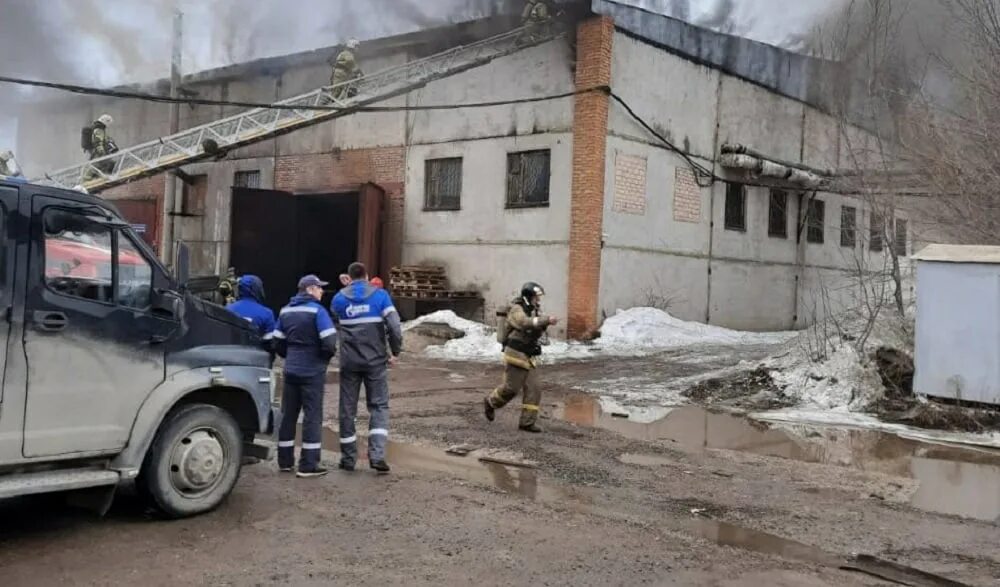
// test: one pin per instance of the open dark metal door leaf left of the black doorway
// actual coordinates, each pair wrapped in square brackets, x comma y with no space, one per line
[265,241]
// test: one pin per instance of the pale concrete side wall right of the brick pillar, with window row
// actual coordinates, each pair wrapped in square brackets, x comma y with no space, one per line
[652,256]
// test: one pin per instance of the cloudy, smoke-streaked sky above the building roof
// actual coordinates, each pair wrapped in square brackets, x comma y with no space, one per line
[111,42]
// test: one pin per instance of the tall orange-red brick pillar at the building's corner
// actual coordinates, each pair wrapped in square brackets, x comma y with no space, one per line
[590,135]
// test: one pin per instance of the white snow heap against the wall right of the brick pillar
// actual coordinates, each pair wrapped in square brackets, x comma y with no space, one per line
[644,329]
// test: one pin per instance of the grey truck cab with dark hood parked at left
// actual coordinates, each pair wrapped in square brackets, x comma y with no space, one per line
[112,370]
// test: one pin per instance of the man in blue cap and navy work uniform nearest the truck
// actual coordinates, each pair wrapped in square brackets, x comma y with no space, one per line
[306,338]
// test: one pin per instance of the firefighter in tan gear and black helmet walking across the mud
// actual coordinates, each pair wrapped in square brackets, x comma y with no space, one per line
[521,334]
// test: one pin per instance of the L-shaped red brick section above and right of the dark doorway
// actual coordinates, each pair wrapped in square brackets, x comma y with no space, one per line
[345,170]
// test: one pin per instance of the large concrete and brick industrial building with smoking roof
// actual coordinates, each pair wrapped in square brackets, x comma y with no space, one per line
[601,194]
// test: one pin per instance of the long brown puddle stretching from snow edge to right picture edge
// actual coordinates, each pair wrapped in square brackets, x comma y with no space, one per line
[953,480]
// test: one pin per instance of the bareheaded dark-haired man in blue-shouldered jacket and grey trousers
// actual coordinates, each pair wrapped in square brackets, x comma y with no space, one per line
[366,315]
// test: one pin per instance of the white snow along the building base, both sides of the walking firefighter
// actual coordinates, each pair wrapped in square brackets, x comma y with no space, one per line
[634,332]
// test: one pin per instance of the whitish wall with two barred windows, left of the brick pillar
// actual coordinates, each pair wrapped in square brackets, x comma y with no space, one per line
[485,246]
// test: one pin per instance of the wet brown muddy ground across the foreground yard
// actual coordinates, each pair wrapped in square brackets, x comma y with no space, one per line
[611,502]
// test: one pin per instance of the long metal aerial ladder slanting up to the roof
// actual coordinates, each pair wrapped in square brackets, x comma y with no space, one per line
[211,140]
